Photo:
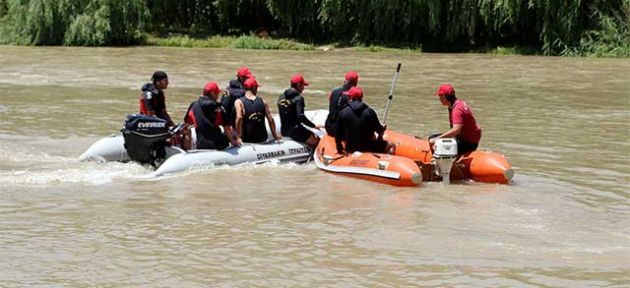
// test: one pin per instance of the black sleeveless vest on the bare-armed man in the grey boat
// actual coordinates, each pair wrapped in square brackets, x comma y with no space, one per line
[254,130]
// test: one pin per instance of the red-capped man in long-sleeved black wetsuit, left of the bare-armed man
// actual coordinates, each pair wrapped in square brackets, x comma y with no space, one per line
[206,114]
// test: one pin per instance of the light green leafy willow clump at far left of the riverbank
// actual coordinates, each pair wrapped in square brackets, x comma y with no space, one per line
[72,22]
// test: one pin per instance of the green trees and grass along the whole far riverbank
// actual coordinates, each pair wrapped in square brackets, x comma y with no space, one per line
[548,27]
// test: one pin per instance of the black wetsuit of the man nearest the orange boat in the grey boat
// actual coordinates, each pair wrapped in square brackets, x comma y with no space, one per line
[291,109]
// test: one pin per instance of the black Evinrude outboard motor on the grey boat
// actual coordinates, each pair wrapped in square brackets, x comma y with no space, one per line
[145,138]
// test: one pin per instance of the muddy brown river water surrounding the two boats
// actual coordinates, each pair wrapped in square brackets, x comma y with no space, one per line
[564,221]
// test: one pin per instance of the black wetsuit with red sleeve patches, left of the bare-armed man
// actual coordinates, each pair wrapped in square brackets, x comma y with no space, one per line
[207,115]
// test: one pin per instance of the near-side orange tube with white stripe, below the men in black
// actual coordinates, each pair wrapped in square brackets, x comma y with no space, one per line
[383,168]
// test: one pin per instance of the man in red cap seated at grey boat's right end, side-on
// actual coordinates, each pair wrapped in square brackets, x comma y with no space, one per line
[291,109]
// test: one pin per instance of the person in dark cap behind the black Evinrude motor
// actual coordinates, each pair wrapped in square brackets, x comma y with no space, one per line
[153,100]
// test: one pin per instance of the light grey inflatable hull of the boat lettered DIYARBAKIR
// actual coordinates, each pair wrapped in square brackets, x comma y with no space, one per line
[112,149]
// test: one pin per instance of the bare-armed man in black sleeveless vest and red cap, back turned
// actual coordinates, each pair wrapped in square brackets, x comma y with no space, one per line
[251,112]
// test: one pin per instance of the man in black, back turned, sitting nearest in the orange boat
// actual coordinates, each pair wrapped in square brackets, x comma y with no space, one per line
[358,125]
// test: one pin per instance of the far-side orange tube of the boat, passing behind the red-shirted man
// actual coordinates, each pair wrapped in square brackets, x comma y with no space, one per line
[480,166]
